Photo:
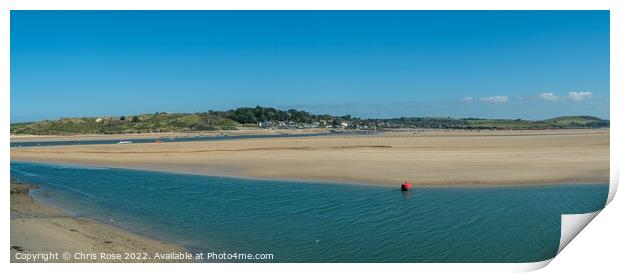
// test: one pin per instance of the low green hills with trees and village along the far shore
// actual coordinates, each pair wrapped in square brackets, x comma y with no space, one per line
[273,118]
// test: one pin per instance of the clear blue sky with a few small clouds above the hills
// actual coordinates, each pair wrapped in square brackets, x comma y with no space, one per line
[497,64]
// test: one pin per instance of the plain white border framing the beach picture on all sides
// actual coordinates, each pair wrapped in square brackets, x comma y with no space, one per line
[6,6]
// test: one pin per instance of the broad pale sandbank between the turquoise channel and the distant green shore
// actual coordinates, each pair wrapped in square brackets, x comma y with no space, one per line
[440,157]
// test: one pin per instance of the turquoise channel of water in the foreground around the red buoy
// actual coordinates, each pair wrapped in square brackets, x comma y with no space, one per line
[317,222]
